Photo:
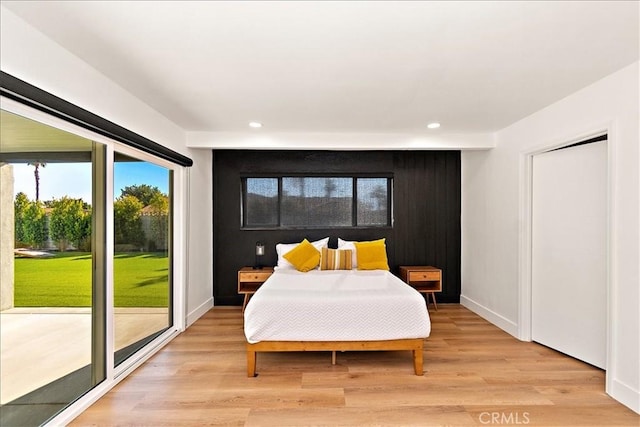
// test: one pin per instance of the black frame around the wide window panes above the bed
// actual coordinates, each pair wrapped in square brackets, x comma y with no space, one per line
[354,205]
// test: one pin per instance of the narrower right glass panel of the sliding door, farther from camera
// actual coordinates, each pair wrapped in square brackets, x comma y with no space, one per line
[142,253]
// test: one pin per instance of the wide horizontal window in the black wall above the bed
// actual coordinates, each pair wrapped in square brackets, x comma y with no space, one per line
[309,202]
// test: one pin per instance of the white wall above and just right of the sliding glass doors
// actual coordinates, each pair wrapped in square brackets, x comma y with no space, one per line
[28,55]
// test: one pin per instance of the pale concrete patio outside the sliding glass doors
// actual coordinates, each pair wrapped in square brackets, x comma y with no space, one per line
[40,345]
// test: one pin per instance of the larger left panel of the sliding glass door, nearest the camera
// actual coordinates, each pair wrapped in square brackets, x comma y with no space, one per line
[52,328]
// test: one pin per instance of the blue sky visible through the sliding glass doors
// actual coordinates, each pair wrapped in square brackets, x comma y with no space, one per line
[74,179]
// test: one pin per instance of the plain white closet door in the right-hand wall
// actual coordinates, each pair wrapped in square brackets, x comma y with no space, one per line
[569,251]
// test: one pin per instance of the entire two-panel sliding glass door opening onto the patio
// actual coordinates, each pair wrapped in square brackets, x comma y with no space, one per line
[86,263]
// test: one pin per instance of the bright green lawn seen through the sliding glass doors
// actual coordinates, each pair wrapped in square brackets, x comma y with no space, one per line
[141,280]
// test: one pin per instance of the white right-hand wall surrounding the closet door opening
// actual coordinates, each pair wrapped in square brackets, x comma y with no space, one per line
[492,220]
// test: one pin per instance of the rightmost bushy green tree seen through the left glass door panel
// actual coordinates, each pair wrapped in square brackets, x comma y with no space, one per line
[69,222]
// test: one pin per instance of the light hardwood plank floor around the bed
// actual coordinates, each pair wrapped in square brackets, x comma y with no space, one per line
[475,374]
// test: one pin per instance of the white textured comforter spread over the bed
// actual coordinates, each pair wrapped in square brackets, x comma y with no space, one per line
[335,306]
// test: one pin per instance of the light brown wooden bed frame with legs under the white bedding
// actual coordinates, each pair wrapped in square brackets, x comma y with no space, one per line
[415,345]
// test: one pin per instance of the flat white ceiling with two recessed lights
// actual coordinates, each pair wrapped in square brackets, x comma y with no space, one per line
[367,67]
